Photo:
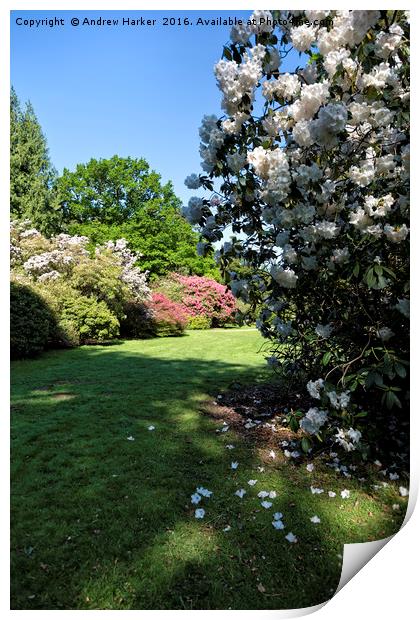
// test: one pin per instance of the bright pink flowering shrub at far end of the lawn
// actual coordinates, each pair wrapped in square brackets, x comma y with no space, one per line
[201,297]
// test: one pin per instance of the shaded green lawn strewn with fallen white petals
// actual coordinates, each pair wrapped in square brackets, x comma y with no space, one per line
[101,522]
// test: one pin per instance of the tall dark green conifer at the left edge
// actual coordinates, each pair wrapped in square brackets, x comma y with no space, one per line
[31,173]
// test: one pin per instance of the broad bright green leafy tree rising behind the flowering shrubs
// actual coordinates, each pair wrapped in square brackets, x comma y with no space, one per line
[121,197]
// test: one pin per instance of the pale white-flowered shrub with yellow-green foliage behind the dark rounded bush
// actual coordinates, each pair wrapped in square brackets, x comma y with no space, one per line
[88,291]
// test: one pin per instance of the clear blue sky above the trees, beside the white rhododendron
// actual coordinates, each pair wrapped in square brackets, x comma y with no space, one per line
[131,91]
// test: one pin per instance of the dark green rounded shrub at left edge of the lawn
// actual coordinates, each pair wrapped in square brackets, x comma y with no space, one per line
[31,321]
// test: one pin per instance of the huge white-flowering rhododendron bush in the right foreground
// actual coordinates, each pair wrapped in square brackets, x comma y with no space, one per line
[311,170]
